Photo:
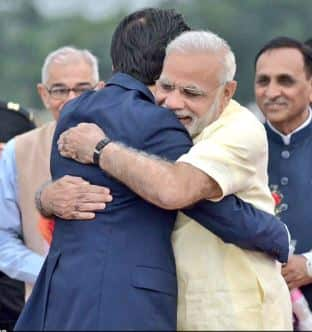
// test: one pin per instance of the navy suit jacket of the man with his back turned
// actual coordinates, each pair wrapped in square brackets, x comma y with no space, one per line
[117,272]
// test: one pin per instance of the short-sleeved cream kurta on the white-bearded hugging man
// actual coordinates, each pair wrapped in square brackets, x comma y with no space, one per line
[223,287]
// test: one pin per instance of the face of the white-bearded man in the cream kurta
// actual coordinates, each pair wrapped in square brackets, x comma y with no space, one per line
[190,86]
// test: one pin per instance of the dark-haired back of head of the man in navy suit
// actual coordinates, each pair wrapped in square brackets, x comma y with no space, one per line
[139,42]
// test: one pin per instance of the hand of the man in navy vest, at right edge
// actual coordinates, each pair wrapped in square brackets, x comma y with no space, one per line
[295,272]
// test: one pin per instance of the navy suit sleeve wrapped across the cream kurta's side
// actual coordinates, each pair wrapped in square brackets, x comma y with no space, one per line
[238,222]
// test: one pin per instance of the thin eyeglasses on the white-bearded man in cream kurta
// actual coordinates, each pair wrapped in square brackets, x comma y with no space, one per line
[166,86]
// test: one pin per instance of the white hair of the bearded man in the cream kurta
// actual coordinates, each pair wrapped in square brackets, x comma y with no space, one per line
[205,41]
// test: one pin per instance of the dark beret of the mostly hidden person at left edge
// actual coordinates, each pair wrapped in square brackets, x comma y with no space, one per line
[14,120]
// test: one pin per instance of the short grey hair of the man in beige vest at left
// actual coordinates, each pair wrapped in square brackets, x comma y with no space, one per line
[65,55]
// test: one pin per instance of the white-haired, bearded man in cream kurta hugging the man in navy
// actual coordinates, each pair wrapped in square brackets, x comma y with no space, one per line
[220,286]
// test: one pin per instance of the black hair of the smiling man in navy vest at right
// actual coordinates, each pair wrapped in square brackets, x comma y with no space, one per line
[287,42]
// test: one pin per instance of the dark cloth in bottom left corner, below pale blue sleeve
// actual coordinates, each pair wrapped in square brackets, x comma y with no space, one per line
[11,301]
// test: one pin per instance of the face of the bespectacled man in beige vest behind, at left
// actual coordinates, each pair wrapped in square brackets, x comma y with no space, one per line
[73,75]
